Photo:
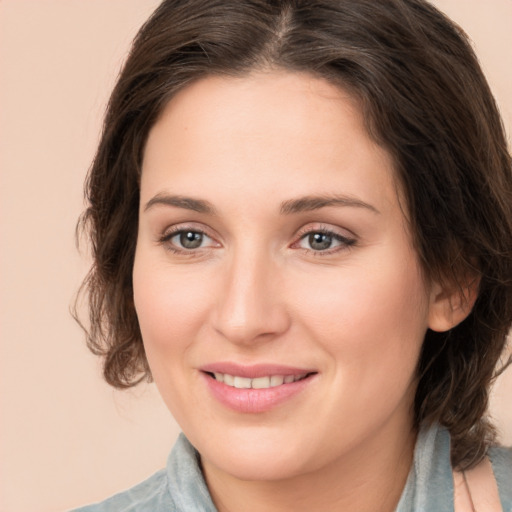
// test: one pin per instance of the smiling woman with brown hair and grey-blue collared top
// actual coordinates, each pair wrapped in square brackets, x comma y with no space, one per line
[301,221]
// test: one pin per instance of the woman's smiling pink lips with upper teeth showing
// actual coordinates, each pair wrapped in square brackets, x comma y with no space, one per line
[255,389]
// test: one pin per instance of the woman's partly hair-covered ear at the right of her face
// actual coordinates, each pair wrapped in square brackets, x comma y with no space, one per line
[451,303]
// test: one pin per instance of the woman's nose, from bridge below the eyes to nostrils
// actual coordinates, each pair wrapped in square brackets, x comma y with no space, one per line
[251,304]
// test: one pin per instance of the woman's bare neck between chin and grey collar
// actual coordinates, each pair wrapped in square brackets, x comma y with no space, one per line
[370,477]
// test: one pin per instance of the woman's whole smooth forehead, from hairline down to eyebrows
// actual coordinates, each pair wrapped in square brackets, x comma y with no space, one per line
[266,133]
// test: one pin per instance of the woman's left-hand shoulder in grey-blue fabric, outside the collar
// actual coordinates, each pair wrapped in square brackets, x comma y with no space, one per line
[151,495]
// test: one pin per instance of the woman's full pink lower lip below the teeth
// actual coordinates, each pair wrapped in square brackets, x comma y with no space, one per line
[255,400]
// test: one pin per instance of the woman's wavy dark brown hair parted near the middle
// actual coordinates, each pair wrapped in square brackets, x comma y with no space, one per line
[424,99]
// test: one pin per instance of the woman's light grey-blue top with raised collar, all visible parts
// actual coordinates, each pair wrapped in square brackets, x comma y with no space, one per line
[429,488]
